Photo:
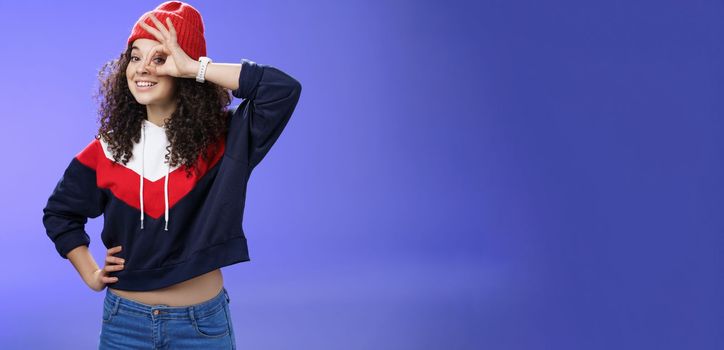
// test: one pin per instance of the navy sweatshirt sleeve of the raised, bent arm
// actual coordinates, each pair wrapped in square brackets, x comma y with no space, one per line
[271,96]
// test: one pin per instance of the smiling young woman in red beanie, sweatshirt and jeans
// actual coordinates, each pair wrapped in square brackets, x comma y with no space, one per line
[168,147]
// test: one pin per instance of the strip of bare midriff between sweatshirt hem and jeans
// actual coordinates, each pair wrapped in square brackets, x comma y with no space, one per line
[193,291]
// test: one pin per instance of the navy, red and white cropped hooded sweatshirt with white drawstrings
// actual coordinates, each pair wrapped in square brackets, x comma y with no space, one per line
[173,227]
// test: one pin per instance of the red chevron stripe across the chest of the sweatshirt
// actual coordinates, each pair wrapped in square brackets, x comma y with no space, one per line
[123,182]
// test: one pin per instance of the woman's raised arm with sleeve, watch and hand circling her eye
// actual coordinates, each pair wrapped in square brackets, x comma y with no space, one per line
[271,95]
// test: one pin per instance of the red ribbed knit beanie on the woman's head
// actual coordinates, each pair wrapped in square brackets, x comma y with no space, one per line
[187,22]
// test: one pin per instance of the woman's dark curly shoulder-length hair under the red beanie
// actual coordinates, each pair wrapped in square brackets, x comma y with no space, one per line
[198,122]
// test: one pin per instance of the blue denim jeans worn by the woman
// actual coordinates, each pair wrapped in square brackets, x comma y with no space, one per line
[128,324]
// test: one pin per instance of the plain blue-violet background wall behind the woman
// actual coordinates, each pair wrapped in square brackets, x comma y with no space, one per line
[457,175]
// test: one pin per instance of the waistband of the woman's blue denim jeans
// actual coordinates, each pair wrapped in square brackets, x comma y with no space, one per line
[116,302]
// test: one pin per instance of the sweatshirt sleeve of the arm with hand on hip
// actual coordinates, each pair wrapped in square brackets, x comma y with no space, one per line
[74,199]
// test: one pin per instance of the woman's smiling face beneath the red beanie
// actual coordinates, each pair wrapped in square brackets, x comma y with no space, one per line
[162,87]
